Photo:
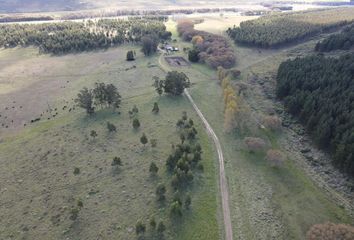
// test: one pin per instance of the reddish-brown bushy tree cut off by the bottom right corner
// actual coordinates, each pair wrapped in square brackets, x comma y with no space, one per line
[330,231]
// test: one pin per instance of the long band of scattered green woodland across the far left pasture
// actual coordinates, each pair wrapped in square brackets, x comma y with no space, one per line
[65,37]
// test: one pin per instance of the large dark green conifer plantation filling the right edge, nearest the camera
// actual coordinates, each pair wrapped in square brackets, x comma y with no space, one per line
[320,92]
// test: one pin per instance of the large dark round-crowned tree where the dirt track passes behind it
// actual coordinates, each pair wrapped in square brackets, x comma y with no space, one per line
[175,83]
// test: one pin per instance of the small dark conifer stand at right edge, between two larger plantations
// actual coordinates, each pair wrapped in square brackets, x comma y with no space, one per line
[340,41]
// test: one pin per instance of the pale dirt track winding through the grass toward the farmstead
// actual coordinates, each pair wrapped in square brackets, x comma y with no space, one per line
[222,177]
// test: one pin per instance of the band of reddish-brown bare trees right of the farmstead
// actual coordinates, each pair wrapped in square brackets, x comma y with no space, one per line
[212,49]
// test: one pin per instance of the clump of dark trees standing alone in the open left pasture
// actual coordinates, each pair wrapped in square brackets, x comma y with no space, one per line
[102,95]
